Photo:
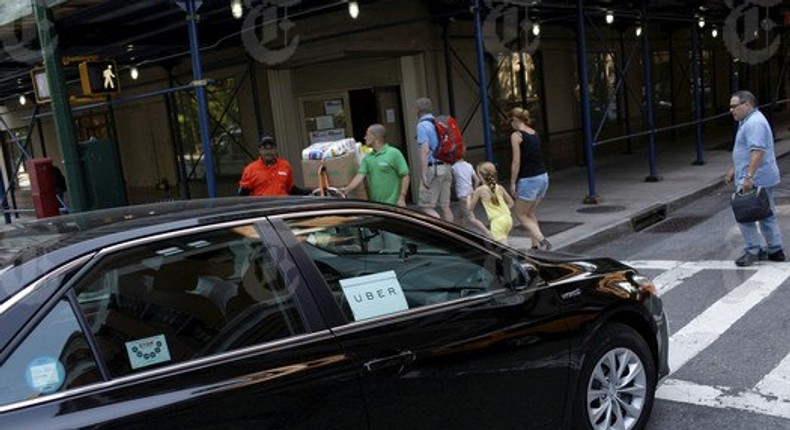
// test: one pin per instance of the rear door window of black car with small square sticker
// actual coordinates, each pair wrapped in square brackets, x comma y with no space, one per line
[186,297]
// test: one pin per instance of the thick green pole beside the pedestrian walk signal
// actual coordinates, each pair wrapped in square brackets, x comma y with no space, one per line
[64,125]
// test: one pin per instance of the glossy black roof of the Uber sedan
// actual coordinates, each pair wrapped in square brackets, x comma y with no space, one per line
[49,243]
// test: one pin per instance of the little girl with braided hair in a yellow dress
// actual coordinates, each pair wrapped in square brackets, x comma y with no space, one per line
[496,202]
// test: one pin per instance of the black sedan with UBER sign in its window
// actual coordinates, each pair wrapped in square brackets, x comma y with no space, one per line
[305,313]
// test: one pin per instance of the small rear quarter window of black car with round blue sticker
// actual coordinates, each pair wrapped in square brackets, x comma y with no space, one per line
[54,357]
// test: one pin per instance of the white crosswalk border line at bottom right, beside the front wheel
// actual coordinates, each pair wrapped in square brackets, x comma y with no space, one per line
[723,397]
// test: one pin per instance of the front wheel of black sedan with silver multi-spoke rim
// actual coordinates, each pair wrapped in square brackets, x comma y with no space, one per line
[622,402]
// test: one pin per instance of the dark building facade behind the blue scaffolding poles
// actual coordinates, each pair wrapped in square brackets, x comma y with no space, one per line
[316,72]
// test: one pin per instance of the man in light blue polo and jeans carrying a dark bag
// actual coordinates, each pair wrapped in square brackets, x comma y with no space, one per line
[754,165]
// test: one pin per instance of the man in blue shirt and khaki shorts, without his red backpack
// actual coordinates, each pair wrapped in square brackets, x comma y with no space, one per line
[437,175]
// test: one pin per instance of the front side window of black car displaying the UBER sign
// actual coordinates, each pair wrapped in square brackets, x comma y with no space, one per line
[378,265]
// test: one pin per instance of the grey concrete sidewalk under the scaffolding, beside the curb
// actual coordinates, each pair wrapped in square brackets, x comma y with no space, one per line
[627,202]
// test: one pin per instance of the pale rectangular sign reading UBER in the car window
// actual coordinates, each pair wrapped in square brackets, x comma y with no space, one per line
[374,295]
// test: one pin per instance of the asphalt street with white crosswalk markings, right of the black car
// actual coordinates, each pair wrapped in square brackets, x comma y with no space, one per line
[729,349]
